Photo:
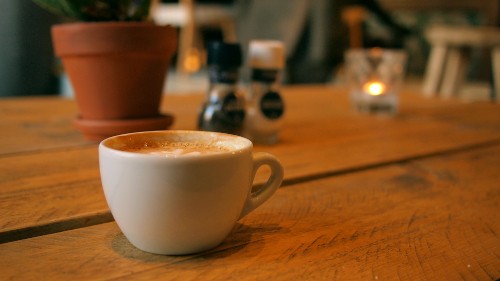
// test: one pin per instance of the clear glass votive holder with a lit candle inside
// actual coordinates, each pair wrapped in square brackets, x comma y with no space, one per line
[374,76]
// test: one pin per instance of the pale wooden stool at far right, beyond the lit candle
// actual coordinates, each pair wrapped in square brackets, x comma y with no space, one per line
[449,57]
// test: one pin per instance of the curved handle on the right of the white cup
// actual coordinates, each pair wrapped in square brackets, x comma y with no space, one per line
[255,199]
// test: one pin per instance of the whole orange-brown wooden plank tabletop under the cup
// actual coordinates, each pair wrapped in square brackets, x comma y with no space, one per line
[413,197]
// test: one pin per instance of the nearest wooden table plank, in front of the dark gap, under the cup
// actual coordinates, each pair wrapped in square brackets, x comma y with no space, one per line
[428,219]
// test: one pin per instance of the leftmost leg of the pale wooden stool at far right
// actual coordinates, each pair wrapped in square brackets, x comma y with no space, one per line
[434,69]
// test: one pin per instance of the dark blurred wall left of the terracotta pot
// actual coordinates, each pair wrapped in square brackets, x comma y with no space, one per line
[26,56]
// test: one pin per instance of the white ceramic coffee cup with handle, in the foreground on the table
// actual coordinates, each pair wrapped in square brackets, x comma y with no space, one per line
[182,203]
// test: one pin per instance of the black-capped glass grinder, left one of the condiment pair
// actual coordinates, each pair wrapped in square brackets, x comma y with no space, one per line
[224,109]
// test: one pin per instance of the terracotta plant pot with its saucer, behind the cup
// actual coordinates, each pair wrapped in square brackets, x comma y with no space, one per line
[117,70]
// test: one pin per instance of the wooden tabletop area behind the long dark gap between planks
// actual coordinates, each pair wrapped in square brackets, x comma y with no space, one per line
[50,182]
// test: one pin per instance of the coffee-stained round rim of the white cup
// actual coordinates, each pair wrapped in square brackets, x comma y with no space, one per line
[244,144]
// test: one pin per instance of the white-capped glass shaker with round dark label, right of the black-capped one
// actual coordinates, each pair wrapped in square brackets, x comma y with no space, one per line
[265,106]
